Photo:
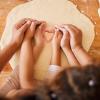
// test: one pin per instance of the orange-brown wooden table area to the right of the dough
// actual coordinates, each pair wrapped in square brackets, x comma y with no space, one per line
[90,9]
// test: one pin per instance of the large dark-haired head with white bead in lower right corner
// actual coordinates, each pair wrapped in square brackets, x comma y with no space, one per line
[78,83]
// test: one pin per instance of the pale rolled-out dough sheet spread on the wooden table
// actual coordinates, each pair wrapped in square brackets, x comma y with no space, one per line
[54,12]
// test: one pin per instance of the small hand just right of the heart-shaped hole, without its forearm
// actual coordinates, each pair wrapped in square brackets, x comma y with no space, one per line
[56,39]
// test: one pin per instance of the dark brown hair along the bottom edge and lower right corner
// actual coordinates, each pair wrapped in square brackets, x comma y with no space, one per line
[70,84]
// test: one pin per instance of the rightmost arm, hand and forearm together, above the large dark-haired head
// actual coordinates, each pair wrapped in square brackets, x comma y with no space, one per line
[76,46]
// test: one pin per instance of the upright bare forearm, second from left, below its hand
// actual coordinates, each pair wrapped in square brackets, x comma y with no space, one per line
[26,65]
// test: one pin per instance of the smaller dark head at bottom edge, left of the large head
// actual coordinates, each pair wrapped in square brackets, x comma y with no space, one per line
[39,94]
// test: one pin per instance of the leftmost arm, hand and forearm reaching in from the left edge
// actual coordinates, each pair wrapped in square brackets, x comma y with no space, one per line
[17,37]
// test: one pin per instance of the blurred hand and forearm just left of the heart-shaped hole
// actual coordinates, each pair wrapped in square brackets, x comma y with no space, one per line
[40,40]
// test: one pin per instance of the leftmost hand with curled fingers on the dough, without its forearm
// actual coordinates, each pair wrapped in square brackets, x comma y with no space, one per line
[19,32]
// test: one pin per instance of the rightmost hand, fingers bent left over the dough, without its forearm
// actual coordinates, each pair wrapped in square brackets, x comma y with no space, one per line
[75,36]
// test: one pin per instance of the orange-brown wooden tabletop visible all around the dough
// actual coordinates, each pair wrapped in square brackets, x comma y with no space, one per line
[88,7]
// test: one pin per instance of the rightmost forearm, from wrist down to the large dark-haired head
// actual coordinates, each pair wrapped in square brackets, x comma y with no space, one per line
[83,57]
